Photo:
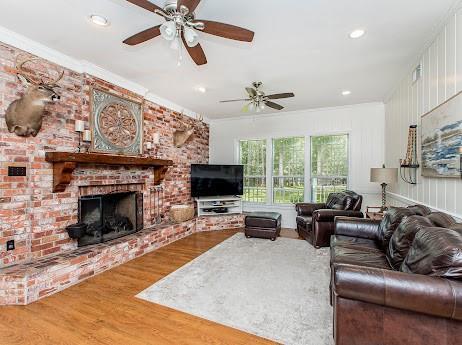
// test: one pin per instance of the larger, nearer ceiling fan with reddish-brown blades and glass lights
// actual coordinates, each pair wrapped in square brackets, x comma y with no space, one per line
[181,28]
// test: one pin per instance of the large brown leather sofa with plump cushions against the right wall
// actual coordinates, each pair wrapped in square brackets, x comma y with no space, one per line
[398,281]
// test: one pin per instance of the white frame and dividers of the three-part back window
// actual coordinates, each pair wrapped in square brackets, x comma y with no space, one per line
[269,164]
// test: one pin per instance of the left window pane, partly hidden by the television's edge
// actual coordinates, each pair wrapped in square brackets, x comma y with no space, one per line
[252,155]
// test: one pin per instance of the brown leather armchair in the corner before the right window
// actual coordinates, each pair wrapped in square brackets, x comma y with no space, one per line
[315,221]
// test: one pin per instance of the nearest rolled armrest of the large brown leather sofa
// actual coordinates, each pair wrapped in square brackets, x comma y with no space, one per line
[413,292]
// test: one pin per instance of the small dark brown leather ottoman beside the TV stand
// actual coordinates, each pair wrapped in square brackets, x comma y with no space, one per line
[263,225]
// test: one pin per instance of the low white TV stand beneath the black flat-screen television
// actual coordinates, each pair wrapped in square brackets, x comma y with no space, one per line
[218,205]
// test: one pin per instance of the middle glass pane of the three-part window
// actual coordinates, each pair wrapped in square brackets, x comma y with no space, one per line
[288,170]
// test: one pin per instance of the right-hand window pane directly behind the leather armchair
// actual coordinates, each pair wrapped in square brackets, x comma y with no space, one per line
[329,165]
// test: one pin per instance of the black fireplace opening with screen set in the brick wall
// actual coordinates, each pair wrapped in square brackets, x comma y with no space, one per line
[110,216]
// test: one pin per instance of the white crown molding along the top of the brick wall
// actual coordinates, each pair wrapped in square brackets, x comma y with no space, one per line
[85,67]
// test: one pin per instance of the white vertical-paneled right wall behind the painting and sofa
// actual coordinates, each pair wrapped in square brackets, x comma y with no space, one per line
[441,79]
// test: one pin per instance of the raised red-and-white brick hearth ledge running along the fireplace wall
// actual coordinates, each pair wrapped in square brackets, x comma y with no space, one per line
[25,283]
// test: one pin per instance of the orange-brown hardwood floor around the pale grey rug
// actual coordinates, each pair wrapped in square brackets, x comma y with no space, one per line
[104,310]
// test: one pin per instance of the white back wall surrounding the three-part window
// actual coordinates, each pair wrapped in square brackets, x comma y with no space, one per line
[364,123]
